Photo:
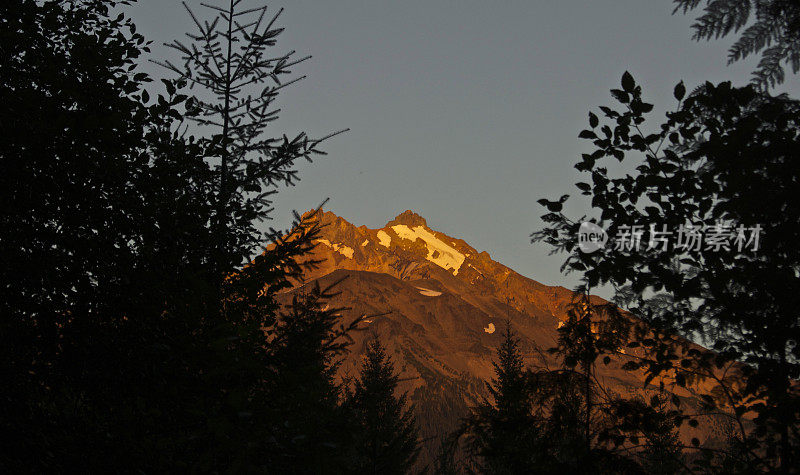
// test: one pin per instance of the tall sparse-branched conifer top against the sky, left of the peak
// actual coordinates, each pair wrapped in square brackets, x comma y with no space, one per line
[231,59]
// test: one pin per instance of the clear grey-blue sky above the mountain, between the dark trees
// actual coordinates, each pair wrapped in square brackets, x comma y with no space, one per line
[464,111]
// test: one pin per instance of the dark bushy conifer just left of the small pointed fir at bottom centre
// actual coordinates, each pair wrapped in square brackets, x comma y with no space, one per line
[310,428]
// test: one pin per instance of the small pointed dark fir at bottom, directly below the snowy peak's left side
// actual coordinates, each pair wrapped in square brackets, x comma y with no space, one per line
[387,438]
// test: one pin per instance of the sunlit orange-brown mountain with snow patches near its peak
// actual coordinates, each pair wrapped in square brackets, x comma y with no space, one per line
[440,306]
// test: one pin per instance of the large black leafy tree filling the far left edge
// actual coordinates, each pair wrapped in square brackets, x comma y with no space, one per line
[106,244]
